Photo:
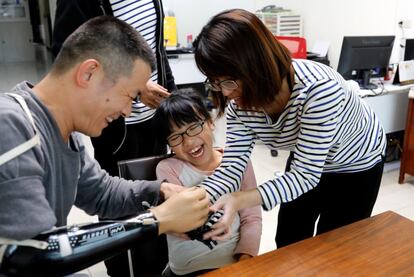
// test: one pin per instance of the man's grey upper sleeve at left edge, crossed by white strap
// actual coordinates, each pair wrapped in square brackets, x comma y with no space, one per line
[24,209]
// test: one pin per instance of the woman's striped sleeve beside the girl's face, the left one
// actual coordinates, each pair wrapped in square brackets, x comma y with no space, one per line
[239,145]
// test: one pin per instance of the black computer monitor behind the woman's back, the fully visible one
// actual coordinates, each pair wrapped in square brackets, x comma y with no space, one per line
[365,57]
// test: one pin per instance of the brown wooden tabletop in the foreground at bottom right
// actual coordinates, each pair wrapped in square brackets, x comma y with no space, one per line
[381,245]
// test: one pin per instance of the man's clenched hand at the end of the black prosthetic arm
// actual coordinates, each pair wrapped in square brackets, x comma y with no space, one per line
[183,211]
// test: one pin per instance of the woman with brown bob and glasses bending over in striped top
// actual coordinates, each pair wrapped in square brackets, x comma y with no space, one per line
[336,141]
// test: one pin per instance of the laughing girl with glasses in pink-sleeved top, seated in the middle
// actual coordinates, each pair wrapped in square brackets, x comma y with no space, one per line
[185,123]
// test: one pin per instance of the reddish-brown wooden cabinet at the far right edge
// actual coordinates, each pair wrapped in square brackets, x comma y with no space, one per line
[407,158]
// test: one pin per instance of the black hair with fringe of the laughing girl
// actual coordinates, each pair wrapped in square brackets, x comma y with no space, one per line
[182,107]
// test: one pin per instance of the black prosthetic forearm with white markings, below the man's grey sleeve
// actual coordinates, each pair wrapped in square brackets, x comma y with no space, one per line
[69,249]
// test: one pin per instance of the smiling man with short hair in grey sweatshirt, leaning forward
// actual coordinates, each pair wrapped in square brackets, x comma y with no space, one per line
[101,68]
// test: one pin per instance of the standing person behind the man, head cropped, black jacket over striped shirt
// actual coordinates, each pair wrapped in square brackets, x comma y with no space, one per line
[131,137]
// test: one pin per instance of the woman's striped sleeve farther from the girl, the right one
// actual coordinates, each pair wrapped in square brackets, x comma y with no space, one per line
[318,127]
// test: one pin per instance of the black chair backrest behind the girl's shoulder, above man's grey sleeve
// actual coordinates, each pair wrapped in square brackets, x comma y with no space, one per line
[140,168]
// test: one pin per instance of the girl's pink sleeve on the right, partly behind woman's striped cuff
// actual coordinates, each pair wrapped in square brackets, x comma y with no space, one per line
[250,219]
